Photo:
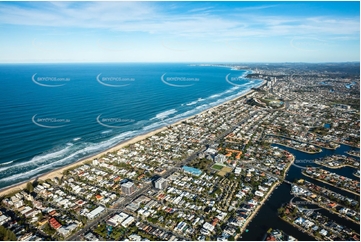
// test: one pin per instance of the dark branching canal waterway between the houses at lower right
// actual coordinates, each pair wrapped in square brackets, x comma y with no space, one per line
[267,216]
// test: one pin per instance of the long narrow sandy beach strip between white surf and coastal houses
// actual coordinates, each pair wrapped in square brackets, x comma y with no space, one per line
[58,172]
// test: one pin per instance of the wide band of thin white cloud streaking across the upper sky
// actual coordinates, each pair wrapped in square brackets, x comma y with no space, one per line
[153,18]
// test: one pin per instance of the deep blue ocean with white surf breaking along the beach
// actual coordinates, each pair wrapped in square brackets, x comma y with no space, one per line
[56,114]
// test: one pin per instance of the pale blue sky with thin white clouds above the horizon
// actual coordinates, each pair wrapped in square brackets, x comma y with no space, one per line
[67,32]
